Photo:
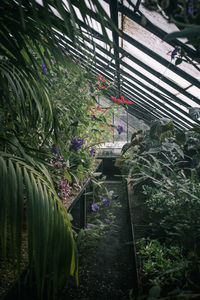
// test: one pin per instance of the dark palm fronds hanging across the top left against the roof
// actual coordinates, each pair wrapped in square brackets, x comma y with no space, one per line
[29,22]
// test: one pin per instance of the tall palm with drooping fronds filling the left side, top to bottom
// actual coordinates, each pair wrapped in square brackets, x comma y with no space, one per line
[28,120]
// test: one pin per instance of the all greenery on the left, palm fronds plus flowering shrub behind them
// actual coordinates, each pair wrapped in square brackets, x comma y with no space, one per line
[44,105]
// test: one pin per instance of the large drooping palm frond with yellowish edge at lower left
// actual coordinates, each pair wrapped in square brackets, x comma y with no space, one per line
[27,193]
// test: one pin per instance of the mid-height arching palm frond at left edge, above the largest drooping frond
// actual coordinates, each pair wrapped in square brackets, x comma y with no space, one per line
[24,97]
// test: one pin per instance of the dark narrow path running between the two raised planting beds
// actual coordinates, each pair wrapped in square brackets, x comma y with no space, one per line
[106,264]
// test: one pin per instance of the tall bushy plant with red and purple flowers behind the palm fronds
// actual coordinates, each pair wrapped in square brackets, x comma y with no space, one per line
[80,126]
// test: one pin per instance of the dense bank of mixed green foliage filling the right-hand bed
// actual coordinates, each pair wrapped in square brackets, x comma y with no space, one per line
[163,169]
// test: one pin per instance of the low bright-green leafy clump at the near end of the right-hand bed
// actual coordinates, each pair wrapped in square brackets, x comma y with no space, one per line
[160,264]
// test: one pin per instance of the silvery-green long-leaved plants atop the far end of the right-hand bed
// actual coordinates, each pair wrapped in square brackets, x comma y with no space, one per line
[161,152]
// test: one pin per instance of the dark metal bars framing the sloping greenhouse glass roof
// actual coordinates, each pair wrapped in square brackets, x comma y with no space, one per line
[148,103]
